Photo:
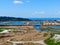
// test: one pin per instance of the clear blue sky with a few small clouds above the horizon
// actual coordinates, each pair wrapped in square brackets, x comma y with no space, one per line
[30,8]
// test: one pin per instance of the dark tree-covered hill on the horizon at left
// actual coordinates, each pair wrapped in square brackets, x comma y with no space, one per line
[13,19]
